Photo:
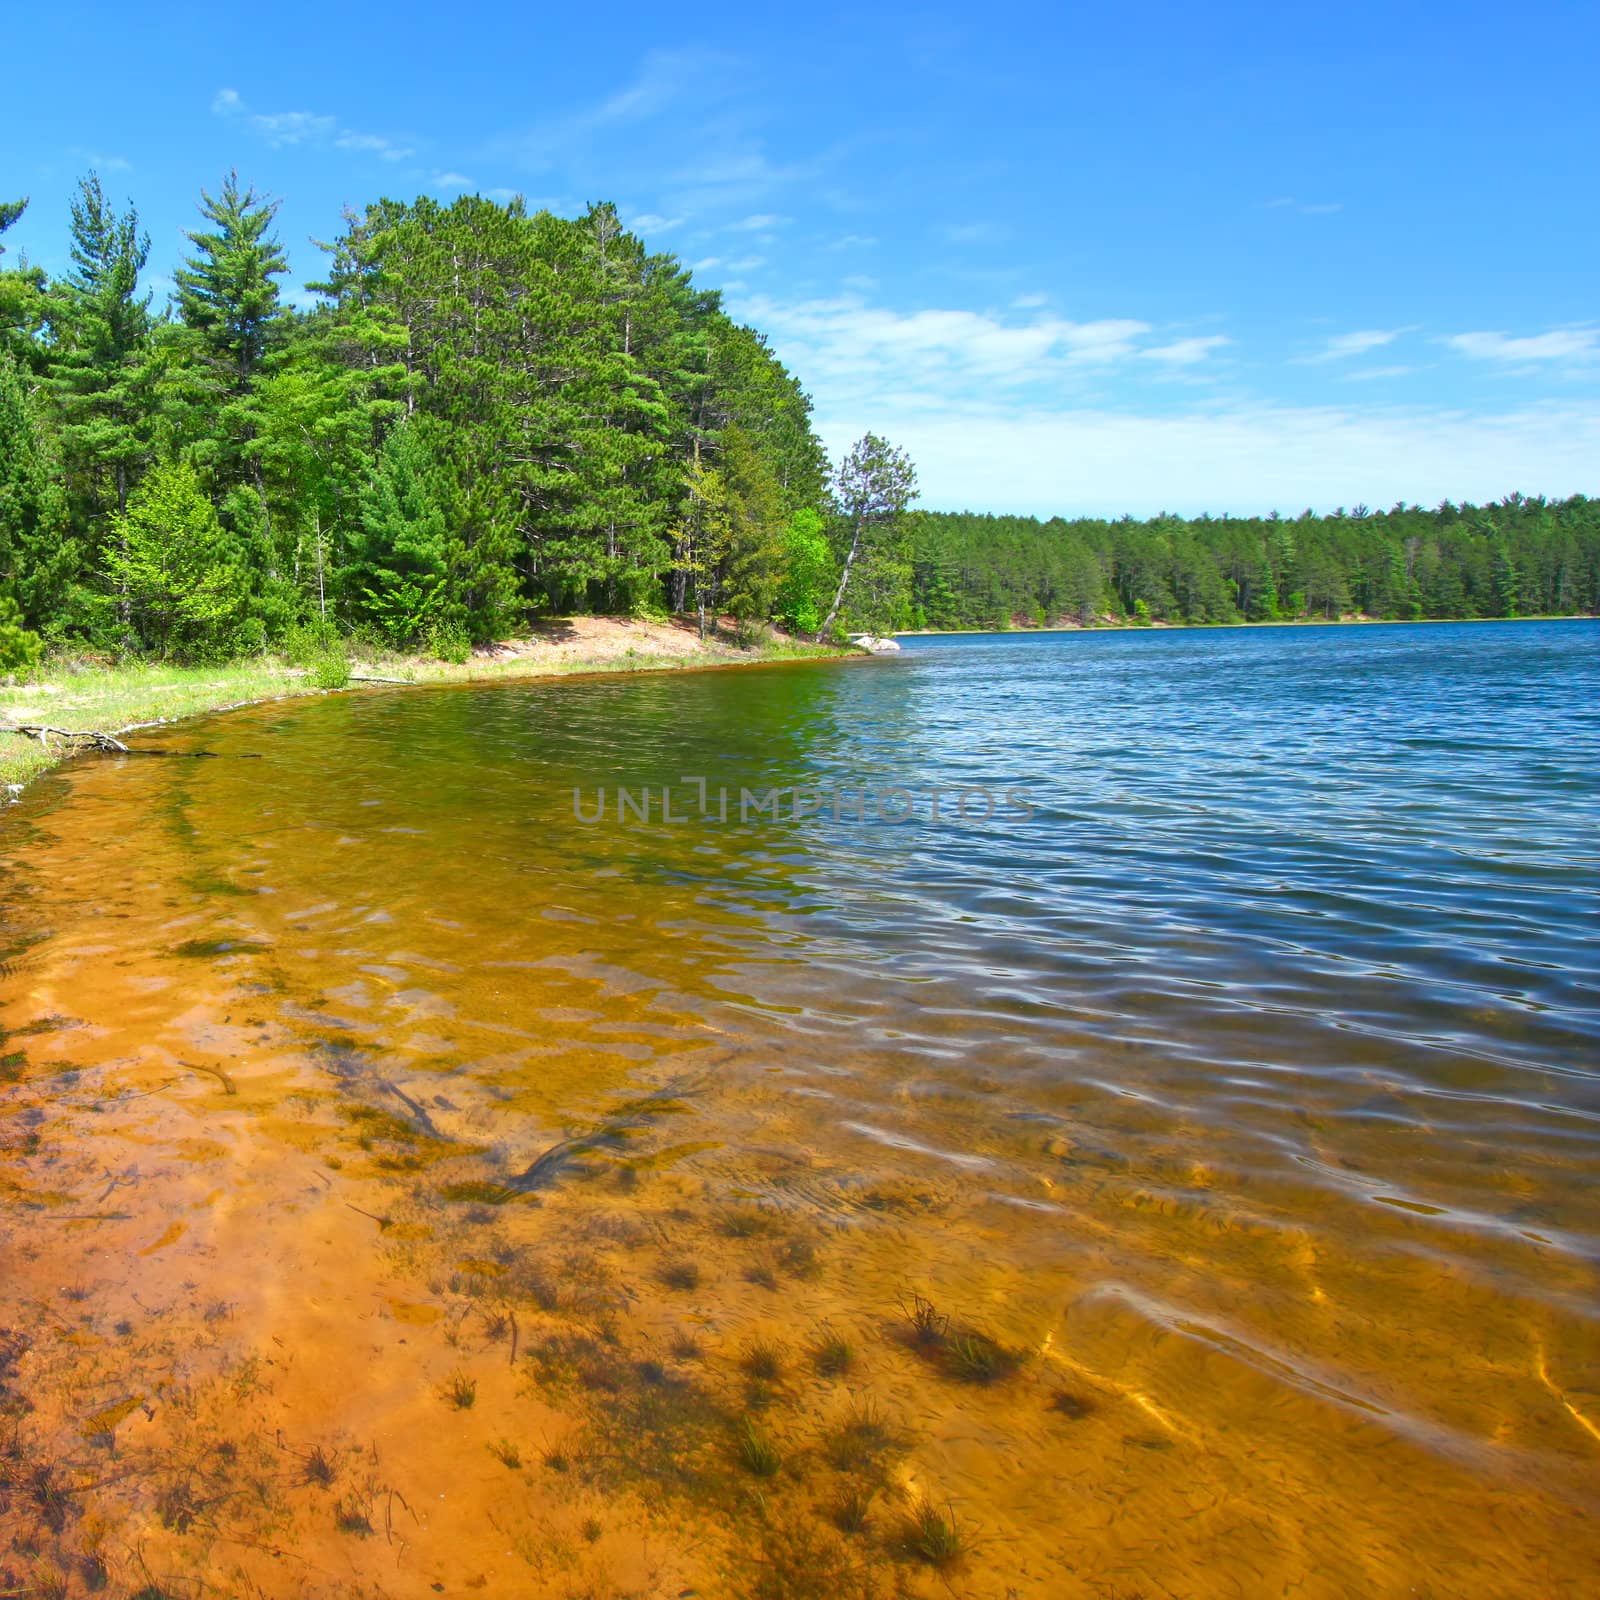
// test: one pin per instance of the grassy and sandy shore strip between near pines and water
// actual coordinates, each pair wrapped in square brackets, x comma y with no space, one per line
[129,698]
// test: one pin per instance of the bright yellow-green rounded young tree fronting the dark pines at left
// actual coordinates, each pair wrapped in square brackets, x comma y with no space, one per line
[178,570]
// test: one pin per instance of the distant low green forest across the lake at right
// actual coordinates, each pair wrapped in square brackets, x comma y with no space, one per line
[1519,558]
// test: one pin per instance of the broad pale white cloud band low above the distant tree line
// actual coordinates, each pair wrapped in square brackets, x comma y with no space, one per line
[1244,460]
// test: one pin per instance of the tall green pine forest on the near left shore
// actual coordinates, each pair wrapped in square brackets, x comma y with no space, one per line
[486,415]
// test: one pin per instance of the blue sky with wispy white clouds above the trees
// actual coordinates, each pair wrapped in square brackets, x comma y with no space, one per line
[1074,258]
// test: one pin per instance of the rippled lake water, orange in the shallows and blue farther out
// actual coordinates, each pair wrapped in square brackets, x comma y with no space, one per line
[1188,1190]
